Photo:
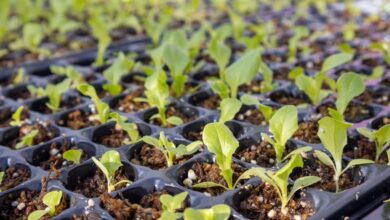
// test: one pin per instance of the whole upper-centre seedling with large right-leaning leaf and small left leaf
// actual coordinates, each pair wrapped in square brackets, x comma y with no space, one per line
[240,72]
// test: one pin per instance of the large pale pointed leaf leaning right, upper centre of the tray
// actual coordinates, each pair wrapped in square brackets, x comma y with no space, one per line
[242,71]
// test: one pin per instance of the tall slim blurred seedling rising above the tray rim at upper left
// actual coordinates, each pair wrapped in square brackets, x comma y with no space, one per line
[101,31]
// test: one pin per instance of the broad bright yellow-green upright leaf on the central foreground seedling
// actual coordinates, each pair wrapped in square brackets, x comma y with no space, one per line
[220,141]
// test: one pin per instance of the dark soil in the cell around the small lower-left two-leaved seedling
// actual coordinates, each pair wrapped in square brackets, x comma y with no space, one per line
[95,185]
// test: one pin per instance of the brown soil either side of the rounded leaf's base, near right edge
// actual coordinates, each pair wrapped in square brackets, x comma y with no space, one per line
[354,113]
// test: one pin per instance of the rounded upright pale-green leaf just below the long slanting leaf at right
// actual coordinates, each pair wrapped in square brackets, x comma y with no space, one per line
[349,85]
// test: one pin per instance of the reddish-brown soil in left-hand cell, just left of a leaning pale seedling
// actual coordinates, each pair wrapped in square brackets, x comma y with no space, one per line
[78,120]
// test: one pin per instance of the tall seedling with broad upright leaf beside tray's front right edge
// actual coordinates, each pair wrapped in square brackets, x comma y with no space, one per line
[333,135]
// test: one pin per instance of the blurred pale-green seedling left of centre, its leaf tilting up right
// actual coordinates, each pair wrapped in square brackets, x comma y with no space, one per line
[121,66]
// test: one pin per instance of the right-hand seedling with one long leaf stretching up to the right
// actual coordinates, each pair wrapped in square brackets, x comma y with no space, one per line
[312,87]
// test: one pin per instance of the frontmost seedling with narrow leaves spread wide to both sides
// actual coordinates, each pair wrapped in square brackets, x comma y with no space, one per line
[279,179]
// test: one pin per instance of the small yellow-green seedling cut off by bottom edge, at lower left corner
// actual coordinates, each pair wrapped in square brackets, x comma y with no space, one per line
[51,200]
